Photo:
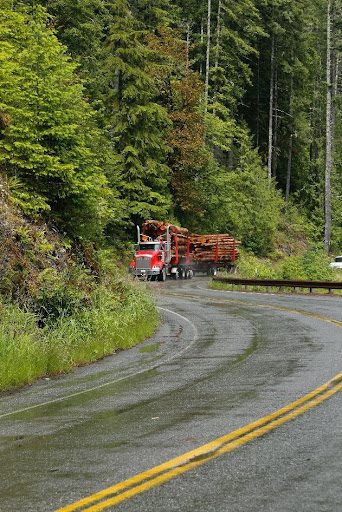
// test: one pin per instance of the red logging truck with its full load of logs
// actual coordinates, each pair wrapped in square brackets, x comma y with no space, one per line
[164,250]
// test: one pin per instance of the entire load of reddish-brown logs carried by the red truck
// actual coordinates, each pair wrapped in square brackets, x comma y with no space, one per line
[220,247]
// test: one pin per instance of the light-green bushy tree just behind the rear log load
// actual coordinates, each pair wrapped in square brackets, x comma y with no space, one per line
[244,203]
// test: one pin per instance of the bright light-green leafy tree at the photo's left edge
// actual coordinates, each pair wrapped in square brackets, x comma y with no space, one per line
[48,147]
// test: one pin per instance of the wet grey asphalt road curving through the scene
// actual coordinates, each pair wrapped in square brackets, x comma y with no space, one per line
[220,361]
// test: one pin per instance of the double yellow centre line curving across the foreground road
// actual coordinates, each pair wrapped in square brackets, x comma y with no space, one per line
[159,474]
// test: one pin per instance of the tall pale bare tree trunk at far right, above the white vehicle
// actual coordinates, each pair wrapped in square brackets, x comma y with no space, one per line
[329,136]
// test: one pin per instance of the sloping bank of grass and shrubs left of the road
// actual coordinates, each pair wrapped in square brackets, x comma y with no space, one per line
[62,305]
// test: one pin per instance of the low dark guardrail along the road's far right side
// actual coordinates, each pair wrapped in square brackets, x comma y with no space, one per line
[281,283]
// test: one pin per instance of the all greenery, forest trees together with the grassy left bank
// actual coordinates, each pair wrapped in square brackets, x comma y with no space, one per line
[216,115]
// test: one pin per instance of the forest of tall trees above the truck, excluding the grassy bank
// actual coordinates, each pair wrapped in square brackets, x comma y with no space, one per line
[222,116]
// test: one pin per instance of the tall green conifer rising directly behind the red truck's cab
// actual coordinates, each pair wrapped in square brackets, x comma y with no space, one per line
[138,123]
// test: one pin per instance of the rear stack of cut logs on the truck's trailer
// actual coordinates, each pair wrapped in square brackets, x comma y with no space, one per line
[221,247]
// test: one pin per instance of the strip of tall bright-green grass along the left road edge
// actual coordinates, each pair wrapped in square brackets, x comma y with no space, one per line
[110,322]
